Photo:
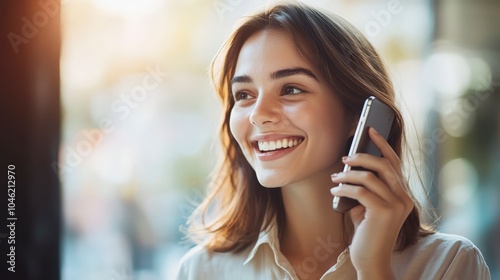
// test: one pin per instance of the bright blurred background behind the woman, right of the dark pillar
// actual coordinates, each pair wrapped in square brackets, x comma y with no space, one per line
[138,117]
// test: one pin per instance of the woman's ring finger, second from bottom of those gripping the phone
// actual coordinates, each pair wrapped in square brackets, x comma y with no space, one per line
[366,179]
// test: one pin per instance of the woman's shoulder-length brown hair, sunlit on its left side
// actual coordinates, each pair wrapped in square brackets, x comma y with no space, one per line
[237,208]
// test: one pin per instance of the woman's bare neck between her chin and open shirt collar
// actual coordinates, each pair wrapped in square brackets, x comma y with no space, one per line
[311,227]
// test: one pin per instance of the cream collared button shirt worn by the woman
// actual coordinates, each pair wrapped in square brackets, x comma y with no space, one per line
[437,256]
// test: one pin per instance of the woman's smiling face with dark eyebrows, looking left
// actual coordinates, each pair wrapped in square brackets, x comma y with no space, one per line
[289,124]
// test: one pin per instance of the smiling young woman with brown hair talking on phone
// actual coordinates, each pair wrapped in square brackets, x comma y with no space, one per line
[293,81]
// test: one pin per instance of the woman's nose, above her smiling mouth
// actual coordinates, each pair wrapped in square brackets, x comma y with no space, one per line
[266,110]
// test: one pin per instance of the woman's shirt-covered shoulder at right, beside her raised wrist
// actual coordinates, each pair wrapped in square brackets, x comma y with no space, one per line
[441,255]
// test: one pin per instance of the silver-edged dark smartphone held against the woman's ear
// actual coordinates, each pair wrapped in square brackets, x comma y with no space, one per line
[375,114]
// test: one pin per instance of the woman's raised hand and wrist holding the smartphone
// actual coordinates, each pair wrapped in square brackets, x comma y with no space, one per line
[384,206]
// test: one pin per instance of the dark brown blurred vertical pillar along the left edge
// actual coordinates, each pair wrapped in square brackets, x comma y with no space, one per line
[30,203]
